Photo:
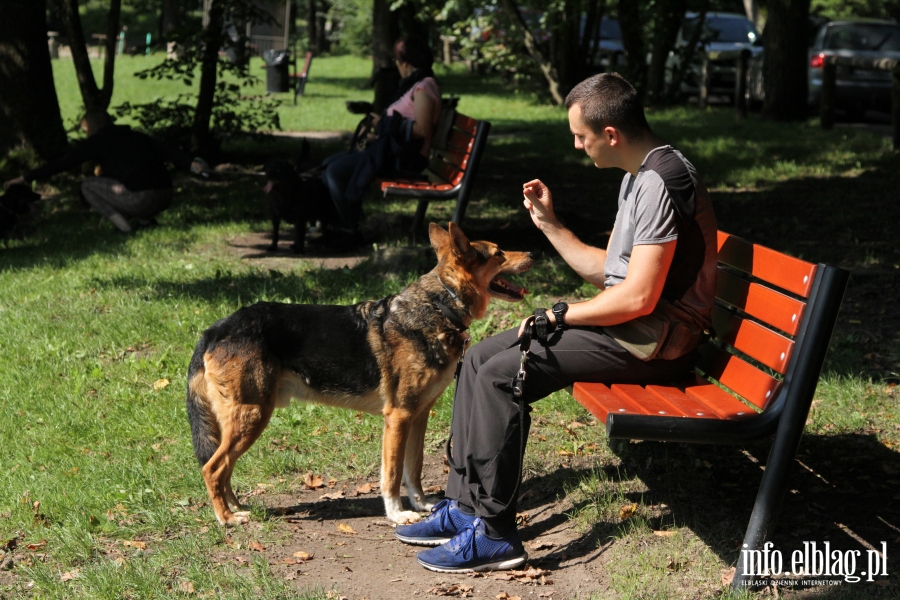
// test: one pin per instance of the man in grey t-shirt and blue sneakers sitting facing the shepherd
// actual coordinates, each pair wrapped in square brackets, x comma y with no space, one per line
[657,285]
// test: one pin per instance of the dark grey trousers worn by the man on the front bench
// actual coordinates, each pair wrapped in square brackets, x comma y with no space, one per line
[488,428]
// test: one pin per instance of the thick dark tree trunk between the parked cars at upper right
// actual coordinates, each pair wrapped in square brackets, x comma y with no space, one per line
[784,67]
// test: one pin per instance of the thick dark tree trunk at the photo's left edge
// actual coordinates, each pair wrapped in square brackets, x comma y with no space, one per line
[29,109]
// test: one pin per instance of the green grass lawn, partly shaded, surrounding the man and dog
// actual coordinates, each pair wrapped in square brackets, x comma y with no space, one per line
[101,495]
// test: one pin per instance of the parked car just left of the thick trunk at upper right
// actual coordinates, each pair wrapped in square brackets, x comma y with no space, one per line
[721,32]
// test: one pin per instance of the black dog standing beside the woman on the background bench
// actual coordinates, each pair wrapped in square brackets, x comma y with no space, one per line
[298,198]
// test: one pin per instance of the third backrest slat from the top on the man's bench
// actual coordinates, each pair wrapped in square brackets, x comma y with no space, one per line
[766,346]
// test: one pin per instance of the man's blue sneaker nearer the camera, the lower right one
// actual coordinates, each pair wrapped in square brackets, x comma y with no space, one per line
[473,550]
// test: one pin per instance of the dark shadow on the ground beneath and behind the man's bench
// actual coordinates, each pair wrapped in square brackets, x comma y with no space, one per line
[843,491]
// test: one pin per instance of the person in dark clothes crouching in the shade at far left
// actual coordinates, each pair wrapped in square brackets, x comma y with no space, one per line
[133,181]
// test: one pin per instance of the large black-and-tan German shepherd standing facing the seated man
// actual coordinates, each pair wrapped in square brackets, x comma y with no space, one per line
[392,356]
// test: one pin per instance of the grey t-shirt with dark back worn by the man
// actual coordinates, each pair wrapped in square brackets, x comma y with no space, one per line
[667,201]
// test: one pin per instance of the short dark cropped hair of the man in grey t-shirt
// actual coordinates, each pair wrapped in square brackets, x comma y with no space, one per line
[607,100]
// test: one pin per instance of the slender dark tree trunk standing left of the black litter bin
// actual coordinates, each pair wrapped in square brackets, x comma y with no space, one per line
[201,142]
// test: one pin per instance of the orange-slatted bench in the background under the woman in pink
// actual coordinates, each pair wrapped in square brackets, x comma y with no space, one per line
[451,173]
